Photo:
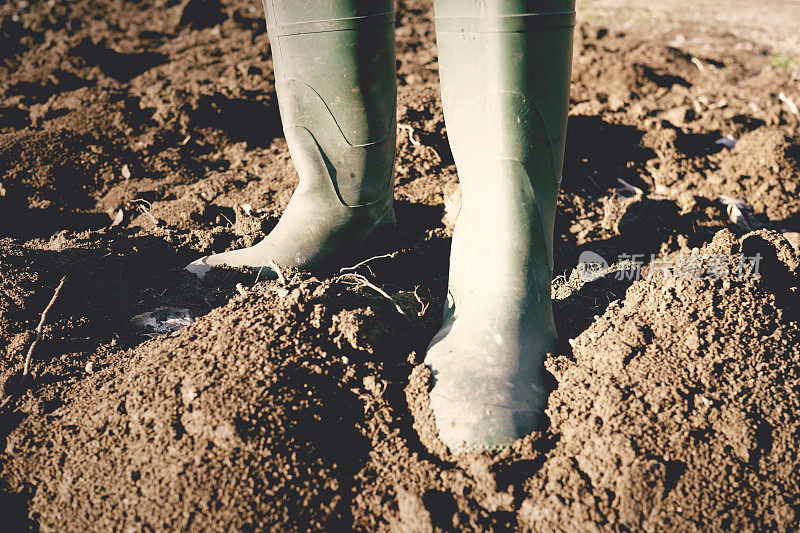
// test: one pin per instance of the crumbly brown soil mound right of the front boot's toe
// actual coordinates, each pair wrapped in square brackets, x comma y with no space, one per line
[678,410]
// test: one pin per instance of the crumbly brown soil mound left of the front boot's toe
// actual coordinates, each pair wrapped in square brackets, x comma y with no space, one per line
[220,423]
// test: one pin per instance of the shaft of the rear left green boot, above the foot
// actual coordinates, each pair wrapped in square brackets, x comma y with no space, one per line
[334,68]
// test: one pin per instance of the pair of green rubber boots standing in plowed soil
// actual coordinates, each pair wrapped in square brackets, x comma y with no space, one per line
[505,73]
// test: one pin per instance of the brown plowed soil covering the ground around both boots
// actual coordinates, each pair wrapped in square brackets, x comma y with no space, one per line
[301,403]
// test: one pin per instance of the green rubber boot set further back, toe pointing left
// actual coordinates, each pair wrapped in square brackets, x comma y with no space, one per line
[335,78]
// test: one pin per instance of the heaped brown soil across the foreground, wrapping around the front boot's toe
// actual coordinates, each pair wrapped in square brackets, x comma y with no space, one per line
[284,409]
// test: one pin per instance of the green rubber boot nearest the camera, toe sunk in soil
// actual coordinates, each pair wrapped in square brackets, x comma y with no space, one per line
[505,74]
